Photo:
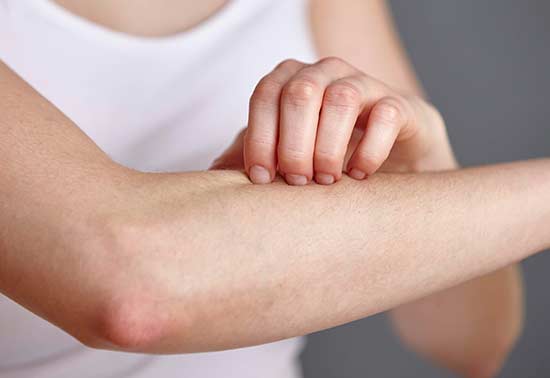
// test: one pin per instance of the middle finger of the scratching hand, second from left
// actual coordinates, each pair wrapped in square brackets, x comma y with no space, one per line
[301,101]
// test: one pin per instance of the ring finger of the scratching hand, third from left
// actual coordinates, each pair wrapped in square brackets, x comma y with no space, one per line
[342,104]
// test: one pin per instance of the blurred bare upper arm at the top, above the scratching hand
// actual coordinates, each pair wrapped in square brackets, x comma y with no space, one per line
[363,33]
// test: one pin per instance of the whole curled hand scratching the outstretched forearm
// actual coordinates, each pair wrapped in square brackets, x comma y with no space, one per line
[305,118]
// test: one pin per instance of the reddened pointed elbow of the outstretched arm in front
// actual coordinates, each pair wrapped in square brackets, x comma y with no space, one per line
[134,305]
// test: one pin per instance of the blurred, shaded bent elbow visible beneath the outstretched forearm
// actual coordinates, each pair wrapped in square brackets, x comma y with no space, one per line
[469,328]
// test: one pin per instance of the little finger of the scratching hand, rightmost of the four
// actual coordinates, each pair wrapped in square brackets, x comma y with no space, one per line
[388,118]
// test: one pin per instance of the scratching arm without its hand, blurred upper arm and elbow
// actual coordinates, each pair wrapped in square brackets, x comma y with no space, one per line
[472,327]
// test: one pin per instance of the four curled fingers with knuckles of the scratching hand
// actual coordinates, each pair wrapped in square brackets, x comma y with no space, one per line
[302,118]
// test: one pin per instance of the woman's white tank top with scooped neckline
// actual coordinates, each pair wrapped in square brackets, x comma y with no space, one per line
[155,104]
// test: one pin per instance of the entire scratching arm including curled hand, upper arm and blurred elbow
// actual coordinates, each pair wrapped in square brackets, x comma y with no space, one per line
[456,328]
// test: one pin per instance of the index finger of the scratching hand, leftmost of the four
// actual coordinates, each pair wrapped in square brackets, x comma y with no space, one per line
[260,142]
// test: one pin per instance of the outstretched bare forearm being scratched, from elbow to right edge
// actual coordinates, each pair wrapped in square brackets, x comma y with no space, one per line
[230,264]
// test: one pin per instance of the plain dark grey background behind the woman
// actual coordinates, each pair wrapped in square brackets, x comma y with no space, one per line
[485,65]
